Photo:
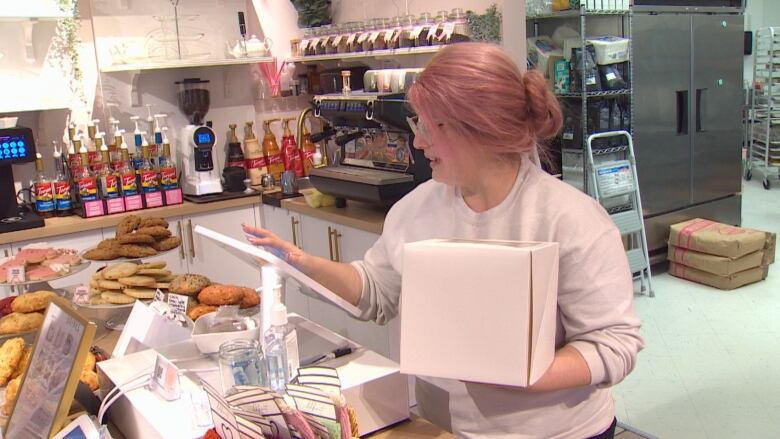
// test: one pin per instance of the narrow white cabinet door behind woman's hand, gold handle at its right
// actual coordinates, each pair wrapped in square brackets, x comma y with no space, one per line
[287,225]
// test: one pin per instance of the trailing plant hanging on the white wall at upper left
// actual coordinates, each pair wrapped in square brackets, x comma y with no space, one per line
[65,46]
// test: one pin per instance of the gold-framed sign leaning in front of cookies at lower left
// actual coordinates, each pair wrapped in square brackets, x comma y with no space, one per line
[46,393]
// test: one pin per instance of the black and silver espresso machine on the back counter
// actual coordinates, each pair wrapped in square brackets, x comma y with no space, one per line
[375,161]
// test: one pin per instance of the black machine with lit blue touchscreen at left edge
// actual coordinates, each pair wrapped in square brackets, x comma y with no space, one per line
[17,145]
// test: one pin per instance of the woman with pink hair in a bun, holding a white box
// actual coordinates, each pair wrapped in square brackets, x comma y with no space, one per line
[480,122]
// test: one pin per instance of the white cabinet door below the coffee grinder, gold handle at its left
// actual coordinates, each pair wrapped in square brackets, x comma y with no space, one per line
[206,257]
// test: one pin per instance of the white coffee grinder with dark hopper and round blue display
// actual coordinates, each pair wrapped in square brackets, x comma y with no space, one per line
[196,141]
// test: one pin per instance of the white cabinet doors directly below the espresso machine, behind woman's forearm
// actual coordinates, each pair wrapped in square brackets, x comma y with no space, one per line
[343,244]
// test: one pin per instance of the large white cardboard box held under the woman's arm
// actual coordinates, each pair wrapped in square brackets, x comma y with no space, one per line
[482,311]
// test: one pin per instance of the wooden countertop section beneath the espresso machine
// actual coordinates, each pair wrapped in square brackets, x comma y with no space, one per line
[362,216]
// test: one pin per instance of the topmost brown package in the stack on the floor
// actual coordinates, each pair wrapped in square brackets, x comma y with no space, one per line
[715,238]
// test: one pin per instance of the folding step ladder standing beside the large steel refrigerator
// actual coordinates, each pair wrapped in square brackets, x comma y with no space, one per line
[613,183]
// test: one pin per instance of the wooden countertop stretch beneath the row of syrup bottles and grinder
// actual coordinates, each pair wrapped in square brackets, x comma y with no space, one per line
[61,226]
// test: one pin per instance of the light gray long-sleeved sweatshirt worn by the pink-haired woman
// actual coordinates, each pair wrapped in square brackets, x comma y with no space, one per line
[595,303]
